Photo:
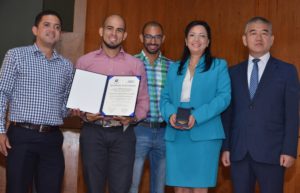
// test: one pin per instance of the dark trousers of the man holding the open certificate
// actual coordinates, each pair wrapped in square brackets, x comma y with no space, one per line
[107,156]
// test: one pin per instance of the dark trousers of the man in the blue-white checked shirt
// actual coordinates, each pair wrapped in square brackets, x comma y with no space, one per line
[34,155]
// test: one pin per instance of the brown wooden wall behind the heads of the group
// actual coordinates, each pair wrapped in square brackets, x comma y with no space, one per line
[226,18]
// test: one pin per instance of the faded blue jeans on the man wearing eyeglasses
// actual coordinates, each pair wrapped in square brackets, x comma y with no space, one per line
[149,143]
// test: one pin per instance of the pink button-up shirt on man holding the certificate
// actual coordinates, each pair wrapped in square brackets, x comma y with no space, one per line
[122,64]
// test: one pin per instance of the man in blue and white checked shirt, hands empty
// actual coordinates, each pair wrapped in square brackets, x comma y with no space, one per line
[34,85]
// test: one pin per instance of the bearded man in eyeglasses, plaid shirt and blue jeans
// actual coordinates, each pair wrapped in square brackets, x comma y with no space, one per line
[150,132]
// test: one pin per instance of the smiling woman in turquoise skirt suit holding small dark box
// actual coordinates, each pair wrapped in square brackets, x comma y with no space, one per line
[201,83]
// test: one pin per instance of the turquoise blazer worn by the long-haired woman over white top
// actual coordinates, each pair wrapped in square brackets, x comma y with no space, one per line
[210,96]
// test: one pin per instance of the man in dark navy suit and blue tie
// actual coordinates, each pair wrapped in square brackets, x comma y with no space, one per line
[261,124]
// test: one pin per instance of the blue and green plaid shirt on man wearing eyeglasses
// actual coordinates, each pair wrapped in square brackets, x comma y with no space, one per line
[156,77]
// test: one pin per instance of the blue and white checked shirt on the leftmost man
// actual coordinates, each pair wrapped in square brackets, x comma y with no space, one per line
[35,88]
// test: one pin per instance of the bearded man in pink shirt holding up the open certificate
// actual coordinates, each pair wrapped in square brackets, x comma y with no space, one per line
[108,146]
